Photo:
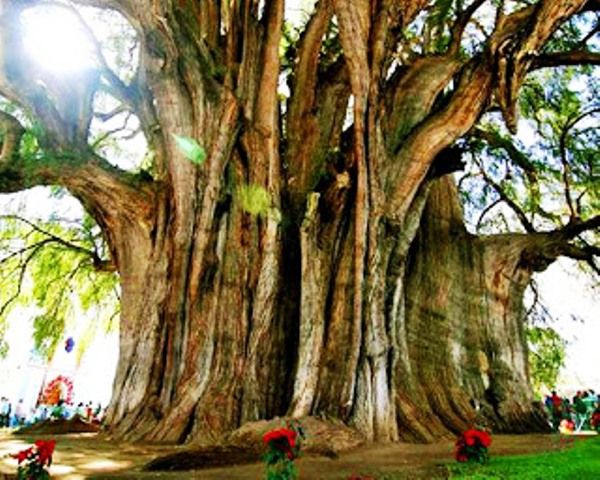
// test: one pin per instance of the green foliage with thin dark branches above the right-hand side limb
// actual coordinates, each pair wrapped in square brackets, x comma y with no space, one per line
[550,170]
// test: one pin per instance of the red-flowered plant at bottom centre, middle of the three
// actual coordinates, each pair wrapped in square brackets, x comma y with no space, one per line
[283,447]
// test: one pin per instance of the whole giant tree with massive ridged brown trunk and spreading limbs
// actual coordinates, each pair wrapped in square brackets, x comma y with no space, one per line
[301,250]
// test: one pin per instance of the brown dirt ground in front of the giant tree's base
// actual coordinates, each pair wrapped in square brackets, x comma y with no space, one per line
[91,456]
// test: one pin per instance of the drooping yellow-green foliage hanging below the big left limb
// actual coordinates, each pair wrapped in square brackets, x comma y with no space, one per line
[51,265]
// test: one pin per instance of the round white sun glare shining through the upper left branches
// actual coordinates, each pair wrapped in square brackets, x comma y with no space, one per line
[56,41]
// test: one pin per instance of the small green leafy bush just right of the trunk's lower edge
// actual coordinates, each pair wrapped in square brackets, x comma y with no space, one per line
[546,356]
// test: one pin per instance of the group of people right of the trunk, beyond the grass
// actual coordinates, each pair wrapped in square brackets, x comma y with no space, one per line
[582,412]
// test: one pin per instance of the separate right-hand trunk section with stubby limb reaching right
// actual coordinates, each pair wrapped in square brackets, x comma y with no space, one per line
[466,318]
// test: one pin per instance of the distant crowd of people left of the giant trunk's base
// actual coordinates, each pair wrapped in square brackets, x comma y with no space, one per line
[17,415]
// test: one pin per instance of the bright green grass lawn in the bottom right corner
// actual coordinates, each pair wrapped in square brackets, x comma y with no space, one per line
[580,461]
